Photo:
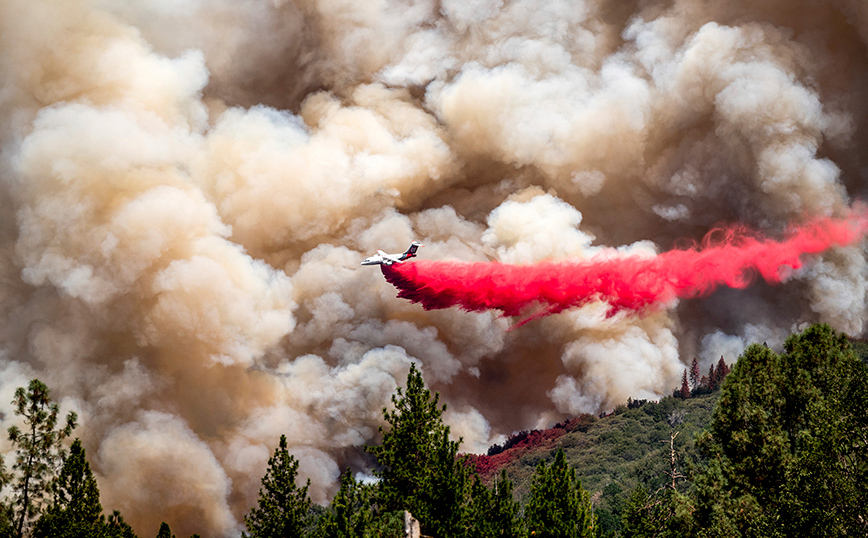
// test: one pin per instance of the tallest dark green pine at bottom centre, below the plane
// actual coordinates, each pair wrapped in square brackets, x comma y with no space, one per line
[420,471]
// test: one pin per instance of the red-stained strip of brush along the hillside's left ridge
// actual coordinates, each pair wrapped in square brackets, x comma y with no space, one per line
[520,443]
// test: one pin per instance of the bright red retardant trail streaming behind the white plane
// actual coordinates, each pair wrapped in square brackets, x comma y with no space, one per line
[731,257]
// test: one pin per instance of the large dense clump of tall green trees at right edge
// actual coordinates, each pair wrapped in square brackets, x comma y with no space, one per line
[787,443]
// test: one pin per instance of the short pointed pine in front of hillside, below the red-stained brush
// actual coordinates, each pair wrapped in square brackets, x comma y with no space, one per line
[559,507]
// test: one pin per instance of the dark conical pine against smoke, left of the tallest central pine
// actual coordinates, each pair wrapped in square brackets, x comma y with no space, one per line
[283,507]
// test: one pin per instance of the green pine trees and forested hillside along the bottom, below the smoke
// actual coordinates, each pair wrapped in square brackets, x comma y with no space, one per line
[775,448]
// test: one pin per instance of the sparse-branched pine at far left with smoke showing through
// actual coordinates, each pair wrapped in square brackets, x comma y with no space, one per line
[38,450]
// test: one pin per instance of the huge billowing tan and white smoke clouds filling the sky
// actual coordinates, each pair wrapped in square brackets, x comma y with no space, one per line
[188,189]
